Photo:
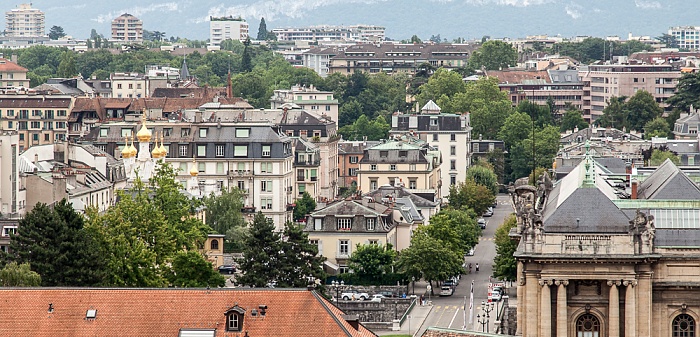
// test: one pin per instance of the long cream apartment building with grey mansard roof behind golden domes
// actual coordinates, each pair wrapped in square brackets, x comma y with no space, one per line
[256,157]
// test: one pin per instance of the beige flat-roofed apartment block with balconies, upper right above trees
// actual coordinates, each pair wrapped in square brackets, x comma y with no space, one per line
[601,82]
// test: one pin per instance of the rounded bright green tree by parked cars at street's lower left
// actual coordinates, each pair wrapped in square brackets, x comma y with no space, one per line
[430,259]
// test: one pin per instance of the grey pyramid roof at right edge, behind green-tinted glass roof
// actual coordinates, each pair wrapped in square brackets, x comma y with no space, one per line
[668,182]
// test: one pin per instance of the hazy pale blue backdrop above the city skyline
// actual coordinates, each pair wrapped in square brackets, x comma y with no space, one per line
[470,19]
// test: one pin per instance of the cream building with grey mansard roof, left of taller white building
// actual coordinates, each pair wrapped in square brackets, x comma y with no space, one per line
[399,162]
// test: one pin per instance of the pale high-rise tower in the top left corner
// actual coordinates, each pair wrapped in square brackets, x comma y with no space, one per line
[25,22]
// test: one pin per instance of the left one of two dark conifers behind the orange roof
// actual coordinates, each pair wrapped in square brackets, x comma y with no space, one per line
[261,258]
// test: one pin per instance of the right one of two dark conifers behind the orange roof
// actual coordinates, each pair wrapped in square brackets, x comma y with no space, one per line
[299,262]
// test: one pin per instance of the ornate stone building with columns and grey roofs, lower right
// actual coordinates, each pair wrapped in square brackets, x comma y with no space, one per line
[604,255]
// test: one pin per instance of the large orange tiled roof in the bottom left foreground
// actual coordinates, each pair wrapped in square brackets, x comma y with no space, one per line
[163,312]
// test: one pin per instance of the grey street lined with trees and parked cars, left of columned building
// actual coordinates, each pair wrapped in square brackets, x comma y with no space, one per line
[448,312]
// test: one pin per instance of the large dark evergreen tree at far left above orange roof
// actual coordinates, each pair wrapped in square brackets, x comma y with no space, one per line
[54,241]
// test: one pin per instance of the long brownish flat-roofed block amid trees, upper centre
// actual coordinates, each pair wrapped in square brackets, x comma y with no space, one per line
[399,58]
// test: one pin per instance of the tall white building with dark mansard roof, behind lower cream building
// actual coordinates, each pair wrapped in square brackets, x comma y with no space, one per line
[451,133]
